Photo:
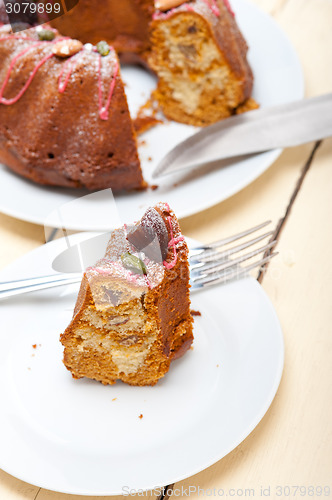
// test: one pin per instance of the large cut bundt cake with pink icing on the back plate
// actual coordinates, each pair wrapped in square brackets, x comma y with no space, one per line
[64,118]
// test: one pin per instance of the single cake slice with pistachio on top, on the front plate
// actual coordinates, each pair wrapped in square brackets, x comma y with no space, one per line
[132,316]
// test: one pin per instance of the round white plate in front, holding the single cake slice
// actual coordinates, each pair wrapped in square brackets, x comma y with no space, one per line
[80,437]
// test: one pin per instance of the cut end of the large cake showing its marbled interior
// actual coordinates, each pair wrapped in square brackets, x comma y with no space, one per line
[201,64]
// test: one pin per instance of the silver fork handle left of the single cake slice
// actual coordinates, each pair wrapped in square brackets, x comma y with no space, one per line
[12,288]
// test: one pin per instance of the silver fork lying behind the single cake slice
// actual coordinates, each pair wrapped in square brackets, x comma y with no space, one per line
[210,264]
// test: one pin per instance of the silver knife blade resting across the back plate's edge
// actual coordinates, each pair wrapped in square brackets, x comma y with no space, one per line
[256,131]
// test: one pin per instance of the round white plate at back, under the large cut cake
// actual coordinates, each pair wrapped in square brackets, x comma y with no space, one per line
[278,79]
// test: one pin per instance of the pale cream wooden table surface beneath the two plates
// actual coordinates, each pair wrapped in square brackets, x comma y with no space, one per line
[292,445]
